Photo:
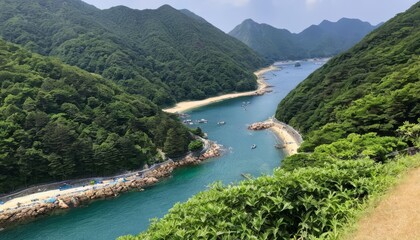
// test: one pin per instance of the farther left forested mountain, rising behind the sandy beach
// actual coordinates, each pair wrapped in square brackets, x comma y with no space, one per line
[164,54]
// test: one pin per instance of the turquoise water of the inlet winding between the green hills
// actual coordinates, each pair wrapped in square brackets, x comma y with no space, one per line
[130,213]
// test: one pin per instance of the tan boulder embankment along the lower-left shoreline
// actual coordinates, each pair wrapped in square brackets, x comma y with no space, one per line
[31,212]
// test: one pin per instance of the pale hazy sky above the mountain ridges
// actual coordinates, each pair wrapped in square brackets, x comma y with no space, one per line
[294,15]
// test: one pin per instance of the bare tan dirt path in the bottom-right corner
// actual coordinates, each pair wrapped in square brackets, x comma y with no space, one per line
[397,216]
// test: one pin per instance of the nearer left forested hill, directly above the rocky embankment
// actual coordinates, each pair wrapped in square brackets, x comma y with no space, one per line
[59,122]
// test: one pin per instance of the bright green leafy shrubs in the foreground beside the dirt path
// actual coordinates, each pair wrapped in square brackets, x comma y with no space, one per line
[306,203]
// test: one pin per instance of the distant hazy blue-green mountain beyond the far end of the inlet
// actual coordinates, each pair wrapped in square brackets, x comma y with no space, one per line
[323,40]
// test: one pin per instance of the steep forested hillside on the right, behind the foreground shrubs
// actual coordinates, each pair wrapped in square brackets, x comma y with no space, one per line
[373,87]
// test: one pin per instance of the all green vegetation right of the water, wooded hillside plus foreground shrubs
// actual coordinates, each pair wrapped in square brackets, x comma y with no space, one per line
[371,92]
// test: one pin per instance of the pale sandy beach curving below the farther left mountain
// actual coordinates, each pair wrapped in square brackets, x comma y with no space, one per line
[188,105]
